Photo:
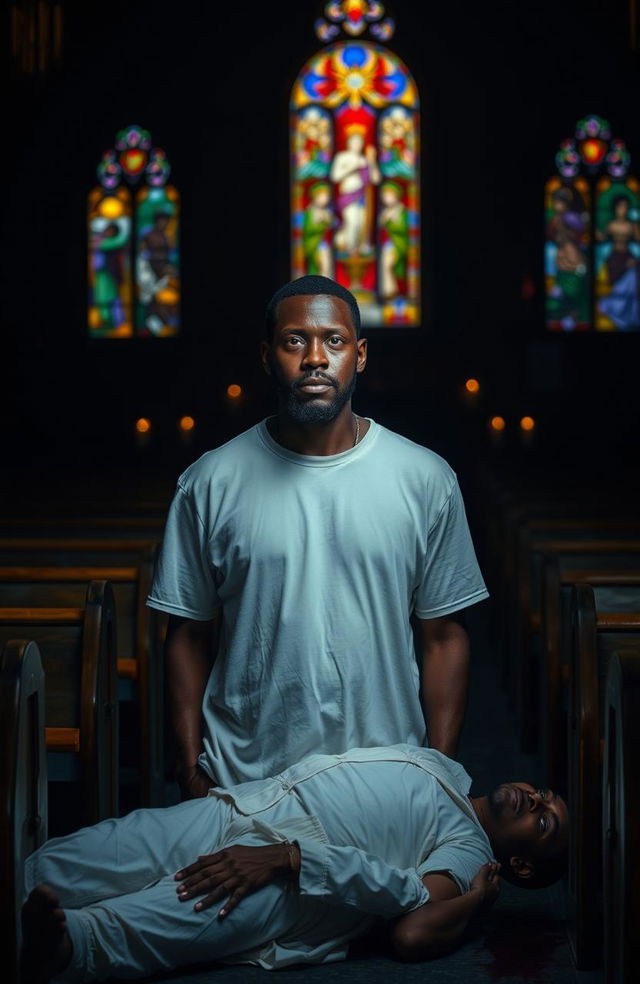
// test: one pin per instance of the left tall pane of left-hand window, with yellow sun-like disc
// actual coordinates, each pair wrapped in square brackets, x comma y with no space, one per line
[109,255]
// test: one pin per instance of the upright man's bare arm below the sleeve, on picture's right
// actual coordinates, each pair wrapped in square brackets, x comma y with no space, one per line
[444,647]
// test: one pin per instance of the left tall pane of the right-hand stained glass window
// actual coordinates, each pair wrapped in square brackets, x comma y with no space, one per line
[567,254]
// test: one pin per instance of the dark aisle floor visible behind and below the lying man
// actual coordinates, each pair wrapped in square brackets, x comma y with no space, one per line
[522,940]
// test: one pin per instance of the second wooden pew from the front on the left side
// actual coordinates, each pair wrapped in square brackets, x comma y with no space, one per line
[77,647]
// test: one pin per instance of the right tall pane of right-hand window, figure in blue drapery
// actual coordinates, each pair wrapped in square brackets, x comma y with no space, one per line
[617,254]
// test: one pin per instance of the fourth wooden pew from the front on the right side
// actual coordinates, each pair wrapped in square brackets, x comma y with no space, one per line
[617,552]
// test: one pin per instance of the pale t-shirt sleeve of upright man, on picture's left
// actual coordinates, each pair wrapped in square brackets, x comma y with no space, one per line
[183,581]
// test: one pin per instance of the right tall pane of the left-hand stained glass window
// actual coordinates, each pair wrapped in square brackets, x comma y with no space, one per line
[157,262]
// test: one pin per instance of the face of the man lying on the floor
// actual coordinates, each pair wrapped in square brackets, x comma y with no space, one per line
[528,821]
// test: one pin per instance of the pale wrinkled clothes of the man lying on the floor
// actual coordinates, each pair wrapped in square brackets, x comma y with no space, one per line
[370,823]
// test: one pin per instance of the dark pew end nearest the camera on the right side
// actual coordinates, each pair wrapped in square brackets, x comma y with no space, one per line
[621,818]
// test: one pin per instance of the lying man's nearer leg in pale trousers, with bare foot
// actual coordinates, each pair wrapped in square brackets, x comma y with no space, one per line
[144,932]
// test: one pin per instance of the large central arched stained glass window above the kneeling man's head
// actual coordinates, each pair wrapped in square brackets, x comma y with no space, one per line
[355,189]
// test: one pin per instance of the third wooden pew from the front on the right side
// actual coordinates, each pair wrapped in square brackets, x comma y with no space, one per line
[612,591]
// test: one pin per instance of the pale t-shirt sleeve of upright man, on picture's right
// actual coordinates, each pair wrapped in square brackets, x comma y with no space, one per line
[451,576]
